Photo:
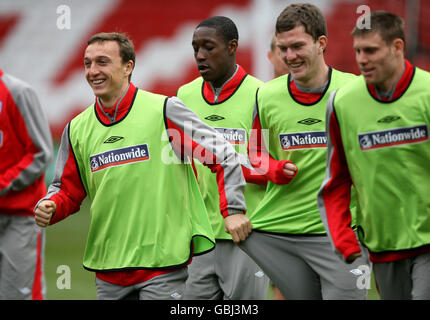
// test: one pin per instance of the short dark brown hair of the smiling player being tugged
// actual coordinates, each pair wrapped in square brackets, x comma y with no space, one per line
[302,14]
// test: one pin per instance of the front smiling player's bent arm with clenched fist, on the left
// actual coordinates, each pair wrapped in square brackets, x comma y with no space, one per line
[66,192]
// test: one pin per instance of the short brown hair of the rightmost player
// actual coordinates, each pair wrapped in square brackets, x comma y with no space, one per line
[387,24]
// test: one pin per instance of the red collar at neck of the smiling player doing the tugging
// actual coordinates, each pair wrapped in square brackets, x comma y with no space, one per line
[123,107]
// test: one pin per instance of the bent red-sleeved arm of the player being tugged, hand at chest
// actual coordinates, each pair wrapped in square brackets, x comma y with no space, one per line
[277,171]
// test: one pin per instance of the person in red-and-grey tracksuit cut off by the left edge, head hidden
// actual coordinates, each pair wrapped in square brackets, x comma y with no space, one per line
[25,152]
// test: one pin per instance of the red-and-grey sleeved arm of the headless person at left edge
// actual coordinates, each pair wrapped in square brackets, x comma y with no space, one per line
[32,129]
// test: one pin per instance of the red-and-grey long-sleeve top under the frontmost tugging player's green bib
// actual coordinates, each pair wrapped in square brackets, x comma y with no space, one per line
[68,191]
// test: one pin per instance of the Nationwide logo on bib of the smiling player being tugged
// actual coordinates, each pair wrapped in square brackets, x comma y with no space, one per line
[303,140]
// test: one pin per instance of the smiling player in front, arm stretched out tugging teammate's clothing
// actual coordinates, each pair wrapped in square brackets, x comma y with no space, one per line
[124,152]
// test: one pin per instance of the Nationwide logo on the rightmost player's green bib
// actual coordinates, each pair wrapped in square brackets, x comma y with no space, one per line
[393,137]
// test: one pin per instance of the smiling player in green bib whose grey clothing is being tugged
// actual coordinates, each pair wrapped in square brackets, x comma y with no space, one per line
[288,239]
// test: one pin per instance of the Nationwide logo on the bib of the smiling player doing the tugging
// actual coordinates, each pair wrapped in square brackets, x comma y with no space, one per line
[119,157]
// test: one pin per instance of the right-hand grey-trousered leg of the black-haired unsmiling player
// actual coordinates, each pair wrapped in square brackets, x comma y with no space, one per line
[239,276]
